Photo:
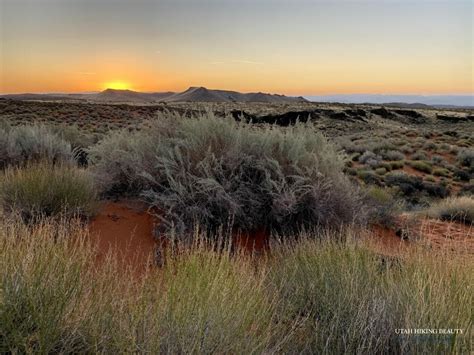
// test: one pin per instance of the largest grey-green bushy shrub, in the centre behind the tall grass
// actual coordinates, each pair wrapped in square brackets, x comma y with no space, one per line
[211,170]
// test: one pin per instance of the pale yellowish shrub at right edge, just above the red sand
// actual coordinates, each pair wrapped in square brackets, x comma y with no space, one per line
[455,209]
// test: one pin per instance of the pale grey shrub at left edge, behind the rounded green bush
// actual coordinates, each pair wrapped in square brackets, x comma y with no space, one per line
[22,144]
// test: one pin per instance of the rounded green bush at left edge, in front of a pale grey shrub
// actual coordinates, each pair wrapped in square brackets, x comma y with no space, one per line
[44,190]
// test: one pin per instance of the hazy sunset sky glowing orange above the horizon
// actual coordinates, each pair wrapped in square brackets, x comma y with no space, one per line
[293,47]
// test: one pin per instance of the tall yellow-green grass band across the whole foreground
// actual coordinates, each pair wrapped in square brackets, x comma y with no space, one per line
[315,296]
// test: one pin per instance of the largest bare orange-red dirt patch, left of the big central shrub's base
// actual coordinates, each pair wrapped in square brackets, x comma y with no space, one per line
[125,229]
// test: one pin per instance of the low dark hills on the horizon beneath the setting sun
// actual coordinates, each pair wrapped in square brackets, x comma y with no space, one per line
[193,94]
